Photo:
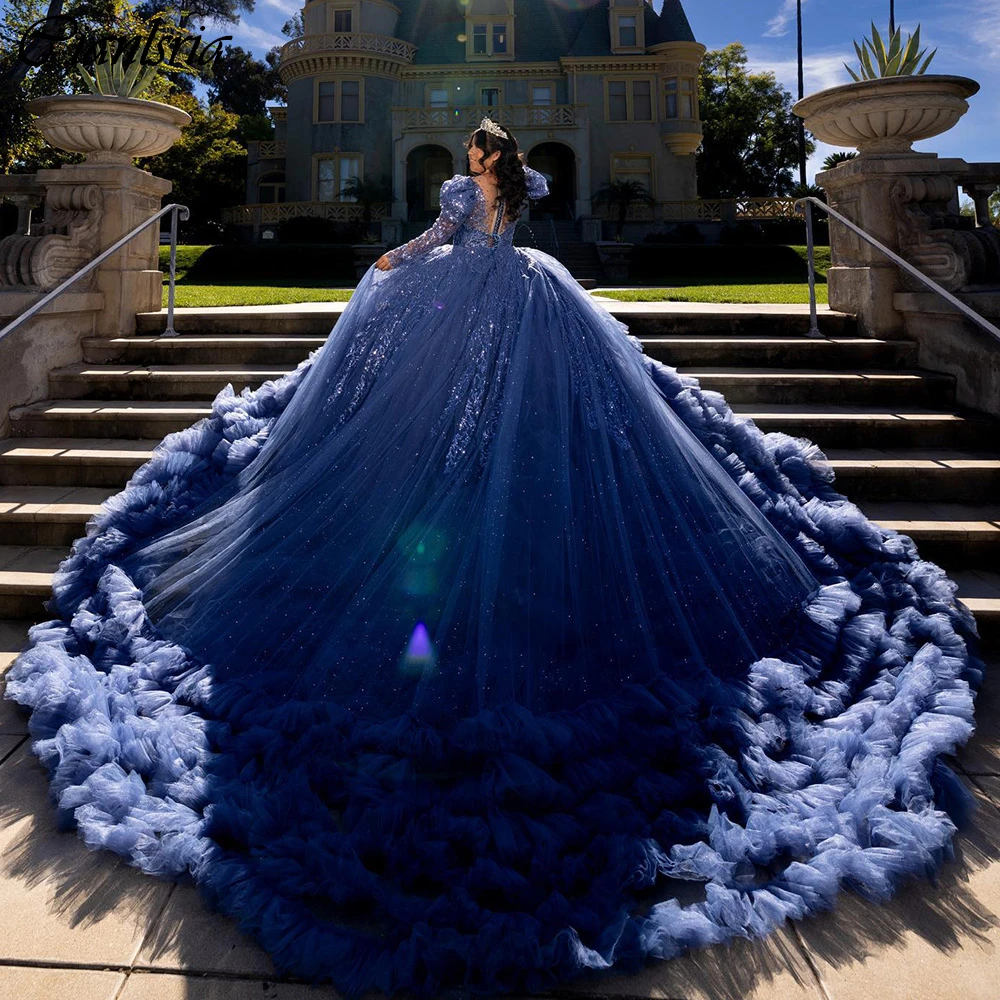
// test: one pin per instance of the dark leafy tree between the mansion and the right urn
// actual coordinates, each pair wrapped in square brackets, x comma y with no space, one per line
[750,145]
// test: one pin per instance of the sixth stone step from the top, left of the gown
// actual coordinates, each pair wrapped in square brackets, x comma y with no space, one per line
[47,515]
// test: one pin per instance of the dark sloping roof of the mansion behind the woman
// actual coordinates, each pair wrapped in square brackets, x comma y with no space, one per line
[545,30]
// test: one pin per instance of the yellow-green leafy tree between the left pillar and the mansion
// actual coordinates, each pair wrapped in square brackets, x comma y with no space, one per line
[207,165]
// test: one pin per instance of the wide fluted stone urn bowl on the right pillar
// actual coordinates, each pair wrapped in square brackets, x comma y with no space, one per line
[886,116]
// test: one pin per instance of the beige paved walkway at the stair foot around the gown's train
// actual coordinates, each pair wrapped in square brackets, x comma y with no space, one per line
[82,925]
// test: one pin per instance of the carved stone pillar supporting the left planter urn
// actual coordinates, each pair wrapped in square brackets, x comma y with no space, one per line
[130,280]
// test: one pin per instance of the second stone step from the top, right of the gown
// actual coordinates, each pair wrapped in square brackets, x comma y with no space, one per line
[774,352]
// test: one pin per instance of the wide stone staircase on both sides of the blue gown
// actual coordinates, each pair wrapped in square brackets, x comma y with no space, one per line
[901,447]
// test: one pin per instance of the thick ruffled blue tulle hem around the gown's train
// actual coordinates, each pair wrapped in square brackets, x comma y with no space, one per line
[511,851]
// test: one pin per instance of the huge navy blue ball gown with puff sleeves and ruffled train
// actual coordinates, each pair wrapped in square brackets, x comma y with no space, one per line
[483,649]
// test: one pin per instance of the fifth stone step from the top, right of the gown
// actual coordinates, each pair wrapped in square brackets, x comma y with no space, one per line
[917,474]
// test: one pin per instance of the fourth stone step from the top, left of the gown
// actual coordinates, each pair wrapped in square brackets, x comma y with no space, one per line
[106,418]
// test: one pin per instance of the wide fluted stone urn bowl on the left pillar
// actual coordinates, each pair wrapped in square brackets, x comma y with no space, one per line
[108,129]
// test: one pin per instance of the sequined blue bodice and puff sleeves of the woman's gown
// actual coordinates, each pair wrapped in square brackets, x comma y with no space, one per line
[468,219]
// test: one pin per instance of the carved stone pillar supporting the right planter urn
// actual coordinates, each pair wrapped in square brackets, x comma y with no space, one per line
[872,191]
